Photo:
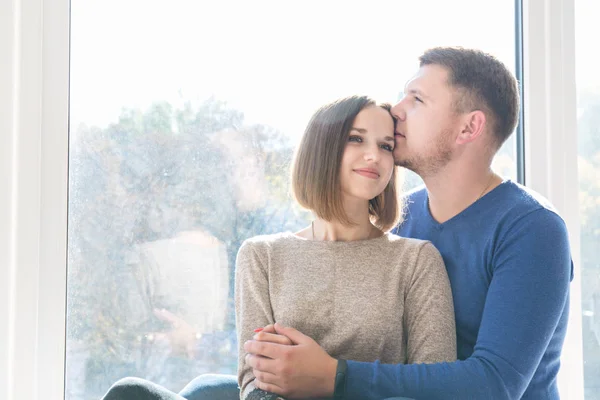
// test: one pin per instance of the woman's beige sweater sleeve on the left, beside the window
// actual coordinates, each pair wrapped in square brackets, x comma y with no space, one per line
[252,309]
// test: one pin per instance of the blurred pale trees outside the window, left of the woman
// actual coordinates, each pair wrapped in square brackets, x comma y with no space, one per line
[135,186]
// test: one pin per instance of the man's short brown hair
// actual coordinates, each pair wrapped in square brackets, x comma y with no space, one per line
[483,83]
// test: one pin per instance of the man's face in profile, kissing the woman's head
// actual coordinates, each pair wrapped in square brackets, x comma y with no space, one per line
[427,124]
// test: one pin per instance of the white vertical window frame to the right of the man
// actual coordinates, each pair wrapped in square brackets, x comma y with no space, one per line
[550,122]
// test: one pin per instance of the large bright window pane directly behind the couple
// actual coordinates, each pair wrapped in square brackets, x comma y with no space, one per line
[184,116]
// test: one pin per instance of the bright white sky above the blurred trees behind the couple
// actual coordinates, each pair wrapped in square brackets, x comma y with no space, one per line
[276,61]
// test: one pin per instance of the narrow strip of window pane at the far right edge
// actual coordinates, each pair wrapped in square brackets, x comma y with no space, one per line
[588,120]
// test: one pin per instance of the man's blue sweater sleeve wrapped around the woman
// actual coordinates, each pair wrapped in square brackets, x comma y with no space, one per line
[527,295]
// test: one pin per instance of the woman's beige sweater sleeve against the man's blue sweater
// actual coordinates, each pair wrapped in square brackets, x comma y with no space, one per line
[429,311]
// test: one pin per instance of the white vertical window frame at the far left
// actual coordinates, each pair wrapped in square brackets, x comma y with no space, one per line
[34,88]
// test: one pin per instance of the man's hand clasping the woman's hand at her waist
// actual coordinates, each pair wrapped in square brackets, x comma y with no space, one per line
[301,370]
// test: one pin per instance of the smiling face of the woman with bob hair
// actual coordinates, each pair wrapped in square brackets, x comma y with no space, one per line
[368,160]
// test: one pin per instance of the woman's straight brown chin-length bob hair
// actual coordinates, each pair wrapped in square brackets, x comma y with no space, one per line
[316,166]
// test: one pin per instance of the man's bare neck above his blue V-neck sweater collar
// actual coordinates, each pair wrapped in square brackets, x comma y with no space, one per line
[451,191]
